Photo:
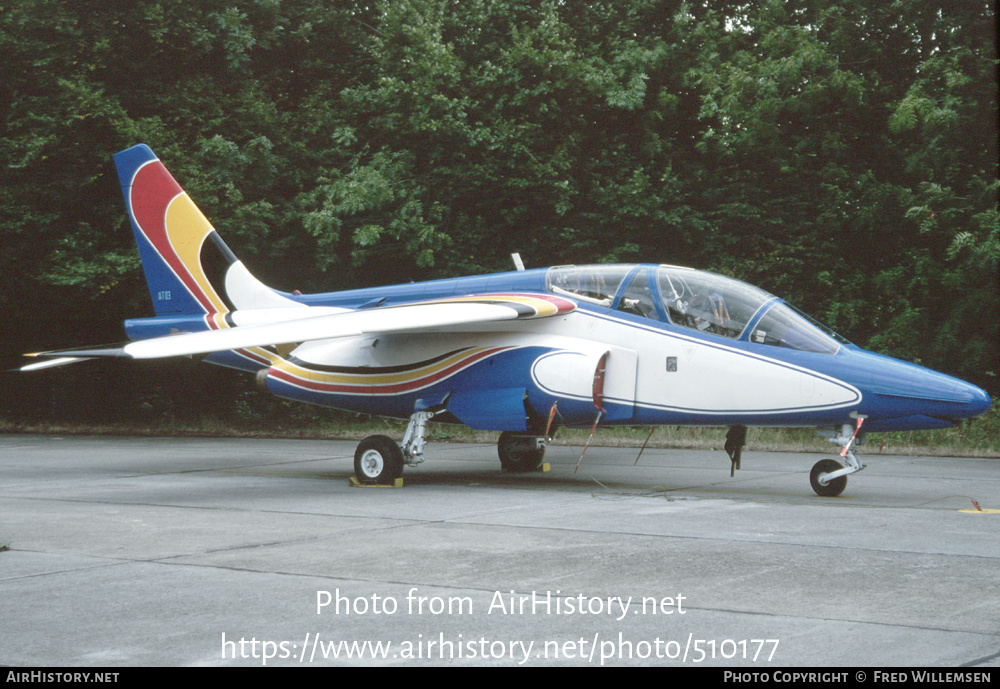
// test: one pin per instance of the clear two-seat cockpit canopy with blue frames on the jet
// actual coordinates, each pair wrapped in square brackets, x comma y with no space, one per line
[697,300]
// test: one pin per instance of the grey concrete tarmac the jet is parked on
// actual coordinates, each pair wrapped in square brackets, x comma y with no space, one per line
[178,552]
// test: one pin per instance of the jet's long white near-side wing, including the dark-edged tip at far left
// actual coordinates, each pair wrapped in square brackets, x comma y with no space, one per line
[415,317]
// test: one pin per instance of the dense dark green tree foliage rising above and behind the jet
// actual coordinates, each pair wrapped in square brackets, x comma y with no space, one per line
[843,155]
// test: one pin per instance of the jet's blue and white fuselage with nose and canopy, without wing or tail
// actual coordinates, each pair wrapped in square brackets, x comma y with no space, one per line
[772,367]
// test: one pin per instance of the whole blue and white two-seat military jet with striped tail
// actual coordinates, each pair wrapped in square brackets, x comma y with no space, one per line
[523,352]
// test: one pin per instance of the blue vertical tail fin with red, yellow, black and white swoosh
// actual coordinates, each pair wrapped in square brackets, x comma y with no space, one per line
[189,269]
